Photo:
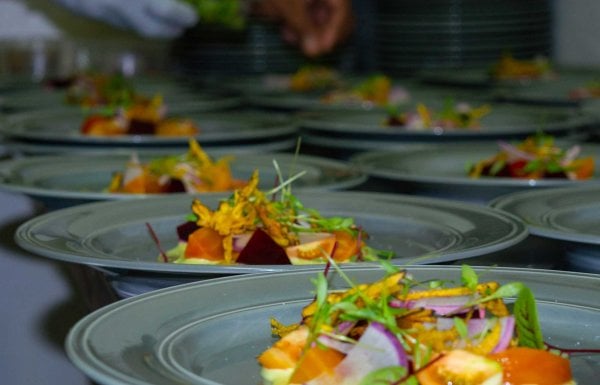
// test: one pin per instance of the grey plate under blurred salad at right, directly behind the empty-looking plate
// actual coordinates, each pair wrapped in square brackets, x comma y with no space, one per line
[444,170]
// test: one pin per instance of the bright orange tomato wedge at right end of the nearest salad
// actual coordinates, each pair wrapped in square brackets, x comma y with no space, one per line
[533,366]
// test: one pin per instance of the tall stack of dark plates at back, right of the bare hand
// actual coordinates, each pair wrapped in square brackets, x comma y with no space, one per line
[413,35]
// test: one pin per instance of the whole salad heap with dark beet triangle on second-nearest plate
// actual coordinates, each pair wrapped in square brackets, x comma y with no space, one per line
[257,227]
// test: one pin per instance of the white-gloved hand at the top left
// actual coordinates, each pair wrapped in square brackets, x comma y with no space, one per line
[150,18]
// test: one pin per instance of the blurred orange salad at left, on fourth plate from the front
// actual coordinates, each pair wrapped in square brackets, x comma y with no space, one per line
[142,116]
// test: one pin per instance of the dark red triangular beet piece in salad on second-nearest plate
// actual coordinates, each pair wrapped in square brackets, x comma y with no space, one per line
[262,250]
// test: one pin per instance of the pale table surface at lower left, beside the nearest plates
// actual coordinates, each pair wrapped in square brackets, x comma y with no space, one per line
[39,306]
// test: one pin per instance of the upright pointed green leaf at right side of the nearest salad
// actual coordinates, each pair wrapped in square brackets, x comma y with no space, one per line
[527,323]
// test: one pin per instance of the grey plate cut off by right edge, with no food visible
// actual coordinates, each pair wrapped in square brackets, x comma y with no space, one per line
[570,215]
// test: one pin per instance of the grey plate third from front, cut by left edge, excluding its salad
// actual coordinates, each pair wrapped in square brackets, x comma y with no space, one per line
[62,180]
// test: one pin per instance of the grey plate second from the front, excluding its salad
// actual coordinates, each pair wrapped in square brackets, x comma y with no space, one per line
[114,235]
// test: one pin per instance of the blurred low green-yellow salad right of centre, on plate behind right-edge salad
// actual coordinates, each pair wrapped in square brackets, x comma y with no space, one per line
[451,116]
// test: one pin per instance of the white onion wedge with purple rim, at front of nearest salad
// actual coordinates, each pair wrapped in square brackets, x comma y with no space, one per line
[377,348]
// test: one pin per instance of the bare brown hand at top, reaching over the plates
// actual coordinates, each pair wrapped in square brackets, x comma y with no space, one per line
[316,26]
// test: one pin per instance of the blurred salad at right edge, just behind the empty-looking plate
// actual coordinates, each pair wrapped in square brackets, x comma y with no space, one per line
[536,157]
